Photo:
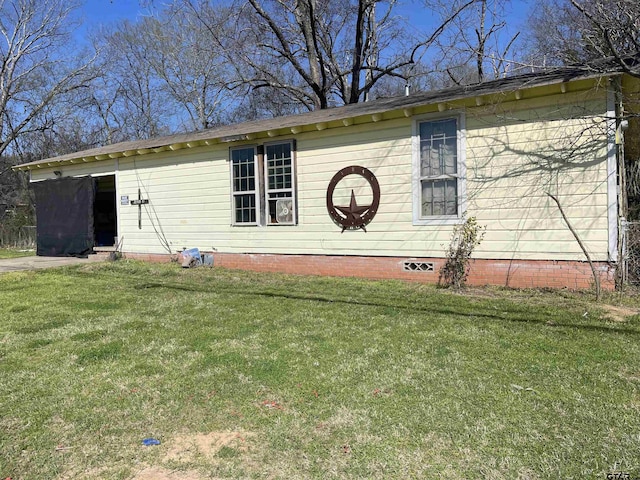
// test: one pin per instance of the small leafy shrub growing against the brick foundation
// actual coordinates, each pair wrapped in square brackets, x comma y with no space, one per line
[464,239]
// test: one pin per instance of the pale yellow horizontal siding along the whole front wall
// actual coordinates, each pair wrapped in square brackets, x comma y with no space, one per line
[515,153]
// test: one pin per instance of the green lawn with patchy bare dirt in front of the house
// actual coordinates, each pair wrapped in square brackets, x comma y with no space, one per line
[303,377]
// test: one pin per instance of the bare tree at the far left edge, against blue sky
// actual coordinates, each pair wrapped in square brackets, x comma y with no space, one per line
[40,73]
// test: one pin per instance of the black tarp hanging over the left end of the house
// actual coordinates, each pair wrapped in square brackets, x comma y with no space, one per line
[64,216]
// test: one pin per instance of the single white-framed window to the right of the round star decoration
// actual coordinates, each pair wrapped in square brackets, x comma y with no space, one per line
[438,171]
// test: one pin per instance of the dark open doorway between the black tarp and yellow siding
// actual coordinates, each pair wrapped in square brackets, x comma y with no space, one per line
[105,218]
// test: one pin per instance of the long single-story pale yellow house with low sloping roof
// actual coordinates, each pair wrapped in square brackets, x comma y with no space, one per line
[373,189]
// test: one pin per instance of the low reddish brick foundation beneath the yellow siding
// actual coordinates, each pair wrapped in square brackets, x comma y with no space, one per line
[511,273]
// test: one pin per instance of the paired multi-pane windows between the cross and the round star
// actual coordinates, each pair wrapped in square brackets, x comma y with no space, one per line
[263,184]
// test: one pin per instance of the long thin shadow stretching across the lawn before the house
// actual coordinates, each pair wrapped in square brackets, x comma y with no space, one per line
[431,306]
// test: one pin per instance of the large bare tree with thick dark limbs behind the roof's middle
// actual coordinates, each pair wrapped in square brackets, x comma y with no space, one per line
[320,53]
